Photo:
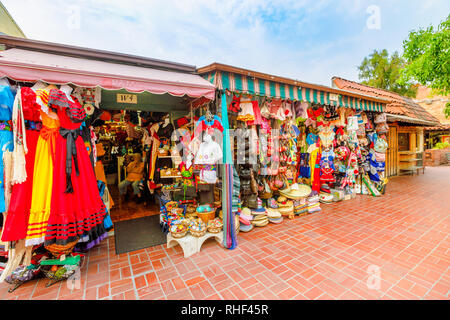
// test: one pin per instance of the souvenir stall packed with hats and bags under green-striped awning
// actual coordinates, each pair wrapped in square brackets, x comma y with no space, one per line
[299,147]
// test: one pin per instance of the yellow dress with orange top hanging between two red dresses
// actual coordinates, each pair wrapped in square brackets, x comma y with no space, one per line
[42,180]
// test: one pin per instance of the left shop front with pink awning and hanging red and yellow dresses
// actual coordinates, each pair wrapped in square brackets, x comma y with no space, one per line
[54,196]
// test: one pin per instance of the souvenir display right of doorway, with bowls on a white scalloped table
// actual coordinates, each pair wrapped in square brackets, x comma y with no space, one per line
[209,200]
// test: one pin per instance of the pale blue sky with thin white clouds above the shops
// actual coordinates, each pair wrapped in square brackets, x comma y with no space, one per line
[306,40]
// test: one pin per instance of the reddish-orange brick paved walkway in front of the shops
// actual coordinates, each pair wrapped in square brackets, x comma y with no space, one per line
[320,256]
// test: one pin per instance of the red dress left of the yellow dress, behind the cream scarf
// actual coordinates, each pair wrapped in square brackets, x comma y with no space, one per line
[16,223]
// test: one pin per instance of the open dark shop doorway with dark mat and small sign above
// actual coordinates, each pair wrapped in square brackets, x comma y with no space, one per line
[124,138]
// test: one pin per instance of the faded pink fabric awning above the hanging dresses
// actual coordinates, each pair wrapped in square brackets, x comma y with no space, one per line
[31,66]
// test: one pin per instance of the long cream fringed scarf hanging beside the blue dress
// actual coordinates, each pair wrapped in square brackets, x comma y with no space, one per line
[19,171]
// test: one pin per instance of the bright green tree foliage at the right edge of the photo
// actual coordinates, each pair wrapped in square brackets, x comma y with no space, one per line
[427,56]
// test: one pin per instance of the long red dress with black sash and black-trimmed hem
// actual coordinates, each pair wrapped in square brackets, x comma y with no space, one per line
[76,208]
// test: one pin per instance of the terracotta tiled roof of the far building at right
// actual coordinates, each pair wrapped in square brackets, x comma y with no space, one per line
[399,105]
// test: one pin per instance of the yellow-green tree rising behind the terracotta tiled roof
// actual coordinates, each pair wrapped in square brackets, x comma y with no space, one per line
[382,71]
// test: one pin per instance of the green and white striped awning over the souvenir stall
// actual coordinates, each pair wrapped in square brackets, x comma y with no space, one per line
[245,84]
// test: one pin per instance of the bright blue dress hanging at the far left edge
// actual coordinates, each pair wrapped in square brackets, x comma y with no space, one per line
[6,134]
